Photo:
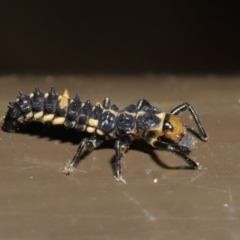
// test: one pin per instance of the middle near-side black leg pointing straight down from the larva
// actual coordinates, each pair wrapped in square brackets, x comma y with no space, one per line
[121,148]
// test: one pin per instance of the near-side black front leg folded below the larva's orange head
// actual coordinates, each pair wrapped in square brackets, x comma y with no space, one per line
[178,150]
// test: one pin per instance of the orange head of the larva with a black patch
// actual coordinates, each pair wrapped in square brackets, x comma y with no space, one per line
[173,128]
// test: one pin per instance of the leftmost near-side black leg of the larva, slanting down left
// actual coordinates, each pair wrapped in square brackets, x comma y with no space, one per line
[87,144]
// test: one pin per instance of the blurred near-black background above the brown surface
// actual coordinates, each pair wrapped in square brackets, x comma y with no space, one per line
[119,37]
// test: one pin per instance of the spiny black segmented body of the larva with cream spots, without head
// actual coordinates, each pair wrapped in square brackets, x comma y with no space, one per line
[101,119]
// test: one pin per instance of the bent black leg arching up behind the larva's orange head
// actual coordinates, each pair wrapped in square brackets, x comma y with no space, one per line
[186,106]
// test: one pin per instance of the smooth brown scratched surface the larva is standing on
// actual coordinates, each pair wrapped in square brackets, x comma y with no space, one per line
[38,202]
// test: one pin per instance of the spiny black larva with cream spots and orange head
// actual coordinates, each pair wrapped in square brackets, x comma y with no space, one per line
[104,121]
